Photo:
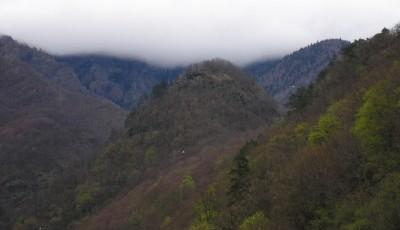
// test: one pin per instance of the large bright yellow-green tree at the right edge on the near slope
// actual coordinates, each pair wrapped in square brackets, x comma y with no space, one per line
[377,127]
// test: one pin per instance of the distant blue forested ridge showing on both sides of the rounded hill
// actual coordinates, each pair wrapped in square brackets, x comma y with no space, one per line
[125,81]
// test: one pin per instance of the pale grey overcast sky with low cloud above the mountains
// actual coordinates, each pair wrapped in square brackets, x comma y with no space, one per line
[170,32]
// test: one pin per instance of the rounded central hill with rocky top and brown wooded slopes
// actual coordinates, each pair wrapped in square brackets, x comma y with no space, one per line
[172,146]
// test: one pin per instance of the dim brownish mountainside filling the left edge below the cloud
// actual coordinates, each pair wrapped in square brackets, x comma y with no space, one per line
[50,127]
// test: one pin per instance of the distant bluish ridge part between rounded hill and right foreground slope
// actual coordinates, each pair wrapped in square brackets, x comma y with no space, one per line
[282,77]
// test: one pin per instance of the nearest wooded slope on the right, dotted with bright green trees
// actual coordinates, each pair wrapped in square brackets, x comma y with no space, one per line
[332,164]
